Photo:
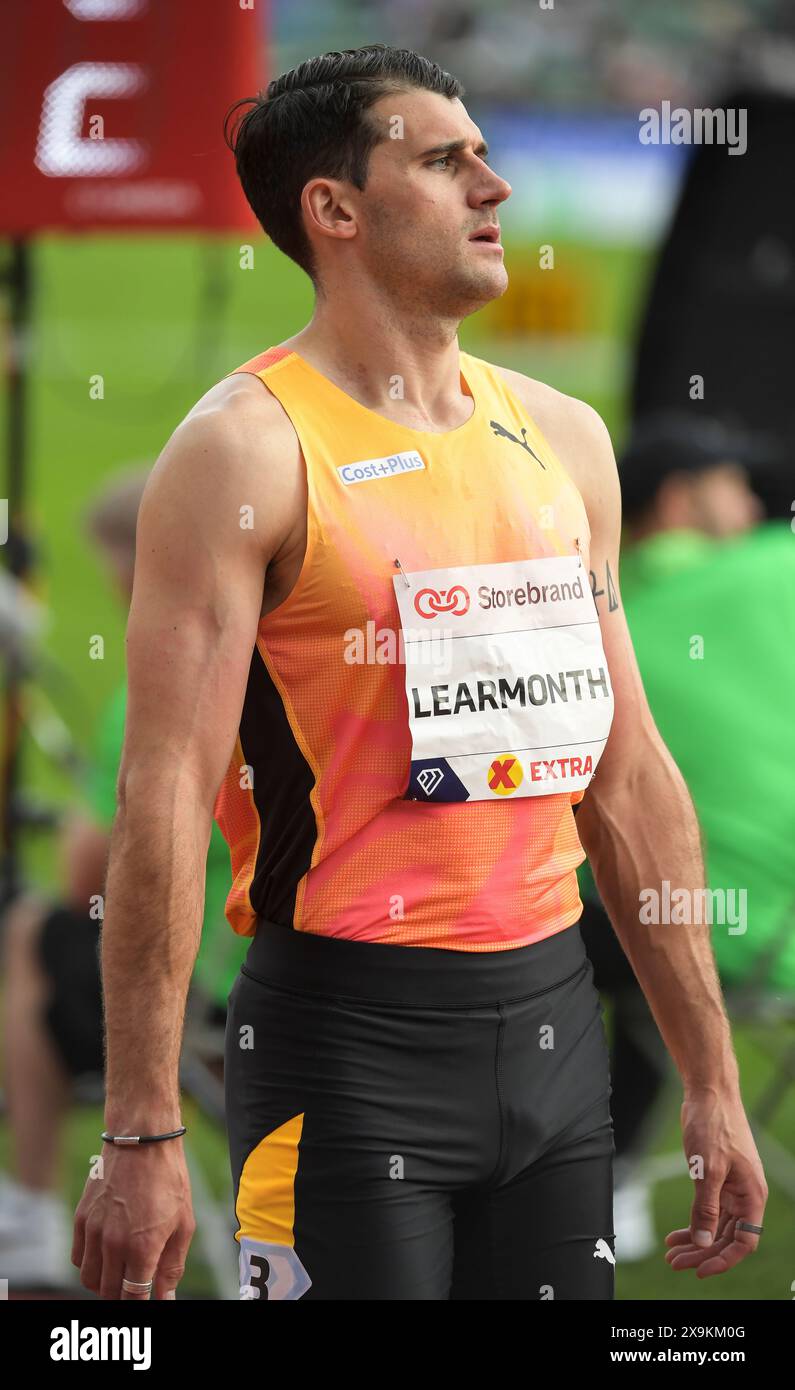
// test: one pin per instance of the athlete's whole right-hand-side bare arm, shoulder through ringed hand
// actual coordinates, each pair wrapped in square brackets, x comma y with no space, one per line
[639,828]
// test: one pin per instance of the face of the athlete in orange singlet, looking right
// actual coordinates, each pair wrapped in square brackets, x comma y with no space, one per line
[429,194]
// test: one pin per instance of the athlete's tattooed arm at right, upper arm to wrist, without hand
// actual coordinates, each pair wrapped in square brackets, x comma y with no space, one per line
[639,825]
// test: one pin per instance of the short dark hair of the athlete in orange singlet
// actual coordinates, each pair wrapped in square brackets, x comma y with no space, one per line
[312,123]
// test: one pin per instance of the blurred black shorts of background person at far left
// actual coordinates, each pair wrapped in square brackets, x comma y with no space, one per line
[69,951]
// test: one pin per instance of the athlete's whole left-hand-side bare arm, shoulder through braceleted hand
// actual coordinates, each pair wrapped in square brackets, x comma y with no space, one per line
[192,629]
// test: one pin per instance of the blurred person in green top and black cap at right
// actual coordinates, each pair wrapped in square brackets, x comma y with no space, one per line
[696,565]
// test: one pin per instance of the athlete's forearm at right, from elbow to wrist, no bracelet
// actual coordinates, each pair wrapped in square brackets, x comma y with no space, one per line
[639,835]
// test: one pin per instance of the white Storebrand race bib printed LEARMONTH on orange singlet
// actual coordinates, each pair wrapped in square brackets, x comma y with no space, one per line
[507,679]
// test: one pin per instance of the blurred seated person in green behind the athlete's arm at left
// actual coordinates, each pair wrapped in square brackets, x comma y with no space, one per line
[54,1013]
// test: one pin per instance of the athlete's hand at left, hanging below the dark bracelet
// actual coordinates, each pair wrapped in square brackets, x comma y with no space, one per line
[136,1223]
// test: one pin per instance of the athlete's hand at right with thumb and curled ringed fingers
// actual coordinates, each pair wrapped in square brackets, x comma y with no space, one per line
[733,1188]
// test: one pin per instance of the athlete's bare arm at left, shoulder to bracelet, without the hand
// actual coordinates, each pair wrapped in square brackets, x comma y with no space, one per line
[191,635]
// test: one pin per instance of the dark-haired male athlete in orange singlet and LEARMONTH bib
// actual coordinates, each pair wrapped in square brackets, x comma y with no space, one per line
[416,1064]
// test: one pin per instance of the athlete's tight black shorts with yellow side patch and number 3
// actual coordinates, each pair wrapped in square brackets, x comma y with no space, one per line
[419,1124]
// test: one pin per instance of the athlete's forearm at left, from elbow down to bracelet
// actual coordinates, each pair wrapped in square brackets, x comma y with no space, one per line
[149,945]
